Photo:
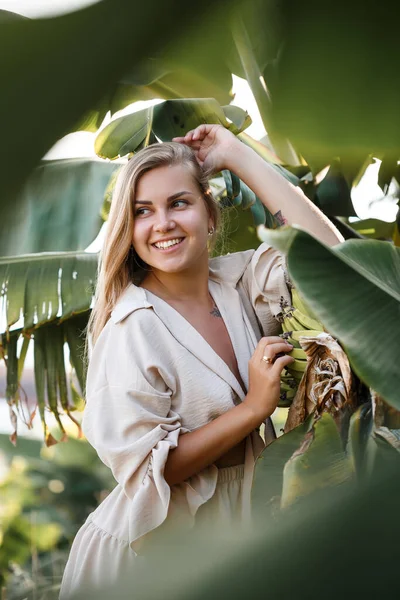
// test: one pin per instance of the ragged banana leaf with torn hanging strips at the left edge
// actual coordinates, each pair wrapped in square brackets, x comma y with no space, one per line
[46,297]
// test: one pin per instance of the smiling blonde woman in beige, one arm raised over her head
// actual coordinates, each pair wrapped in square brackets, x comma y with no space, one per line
[179,380]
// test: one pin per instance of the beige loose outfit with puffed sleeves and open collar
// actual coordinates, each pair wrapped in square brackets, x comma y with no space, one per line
[153,377]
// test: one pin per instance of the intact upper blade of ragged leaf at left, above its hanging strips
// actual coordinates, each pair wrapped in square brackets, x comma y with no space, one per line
[42,287]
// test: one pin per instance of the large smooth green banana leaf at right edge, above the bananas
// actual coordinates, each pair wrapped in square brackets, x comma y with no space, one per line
[354,289]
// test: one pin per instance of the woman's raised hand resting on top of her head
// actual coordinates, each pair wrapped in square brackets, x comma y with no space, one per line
[213,146]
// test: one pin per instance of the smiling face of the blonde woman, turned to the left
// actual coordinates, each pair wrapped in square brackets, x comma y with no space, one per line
[171,220]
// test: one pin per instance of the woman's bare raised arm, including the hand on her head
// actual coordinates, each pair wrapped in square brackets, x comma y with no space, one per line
[217,148]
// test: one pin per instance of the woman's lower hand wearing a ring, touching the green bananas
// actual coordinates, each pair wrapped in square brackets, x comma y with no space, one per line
[264,377]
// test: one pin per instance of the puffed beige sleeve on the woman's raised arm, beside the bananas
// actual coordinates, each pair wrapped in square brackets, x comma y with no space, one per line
[266,282]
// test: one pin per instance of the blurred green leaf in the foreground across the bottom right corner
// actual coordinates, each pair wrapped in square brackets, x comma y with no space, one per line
[311,541]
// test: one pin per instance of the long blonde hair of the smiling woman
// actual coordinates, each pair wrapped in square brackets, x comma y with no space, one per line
[119,264]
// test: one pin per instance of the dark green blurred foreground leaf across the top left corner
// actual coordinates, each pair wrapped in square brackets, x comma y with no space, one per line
[64,85]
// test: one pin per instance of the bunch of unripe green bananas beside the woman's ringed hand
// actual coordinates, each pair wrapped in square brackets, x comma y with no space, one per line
[297,321]
